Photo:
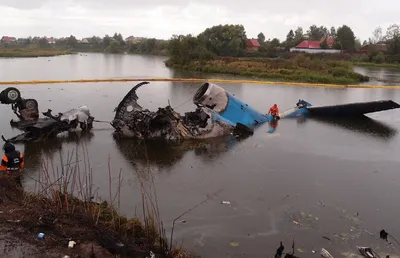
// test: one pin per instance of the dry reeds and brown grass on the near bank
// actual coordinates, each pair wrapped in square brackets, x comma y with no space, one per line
[62,206]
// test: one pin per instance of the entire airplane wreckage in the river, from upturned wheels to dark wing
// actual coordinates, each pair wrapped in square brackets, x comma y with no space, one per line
[218,113]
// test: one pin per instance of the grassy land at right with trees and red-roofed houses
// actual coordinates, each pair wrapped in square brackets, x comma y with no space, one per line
[319,55]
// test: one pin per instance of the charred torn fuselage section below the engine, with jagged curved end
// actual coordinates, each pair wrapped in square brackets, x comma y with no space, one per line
[132,121]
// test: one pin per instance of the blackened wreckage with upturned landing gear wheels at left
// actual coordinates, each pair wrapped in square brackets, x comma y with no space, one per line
[35,127]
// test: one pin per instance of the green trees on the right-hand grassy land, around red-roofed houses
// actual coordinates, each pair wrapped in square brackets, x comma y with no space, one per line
[230,40]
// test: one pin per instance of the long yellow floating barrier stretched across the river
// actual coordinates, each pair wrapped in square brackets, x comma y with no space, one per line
[200,81]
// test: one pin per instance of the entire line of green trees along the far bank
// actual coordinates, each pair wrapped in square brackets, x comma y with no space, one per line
[227,40]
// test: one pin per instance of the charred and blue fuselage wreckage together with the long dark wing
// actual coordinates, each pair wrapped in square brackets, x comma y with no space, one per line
[218,113]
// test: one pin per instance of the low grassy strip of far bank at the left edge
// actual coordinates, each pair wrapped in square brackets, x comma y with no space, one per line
[31,52]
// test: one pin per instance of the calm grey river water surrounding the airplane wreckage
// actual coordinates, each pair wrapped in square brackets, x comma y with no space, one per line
[309,179]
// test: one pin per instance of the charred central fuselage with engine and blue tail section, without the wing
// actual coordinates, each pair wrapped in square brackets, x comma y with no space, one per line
[218,113]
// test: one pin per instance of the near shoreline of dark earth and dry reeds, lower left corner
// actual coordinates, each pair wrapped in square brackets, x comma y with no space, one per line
[62,216]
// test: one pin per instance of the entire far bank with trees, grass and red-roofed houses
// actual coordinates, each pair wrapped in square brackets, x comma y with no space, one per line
[319,55]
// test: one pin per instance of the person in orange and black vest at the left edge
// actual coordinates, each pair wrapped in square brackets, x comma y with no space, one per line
[12,161]
